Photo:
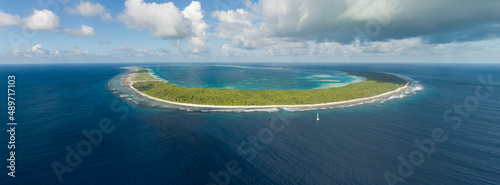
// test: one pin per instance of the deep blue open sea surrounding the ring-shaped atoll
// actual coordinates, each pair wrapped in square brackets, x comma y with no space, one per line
[56,104]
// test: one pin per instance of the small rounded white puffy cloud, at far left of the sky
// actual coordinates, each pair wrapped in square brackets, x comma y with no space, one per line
[42,20]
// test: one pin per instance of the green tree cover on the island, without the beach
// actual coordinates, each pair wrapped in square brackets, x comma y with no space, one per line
[376,83]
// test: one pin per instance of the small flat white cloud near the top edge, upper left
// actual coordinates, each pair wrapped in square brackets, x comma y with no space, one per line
[88,9]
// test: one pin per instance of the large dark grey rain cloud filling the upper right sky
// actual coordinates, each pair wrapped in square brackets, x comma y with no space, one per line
[439,21]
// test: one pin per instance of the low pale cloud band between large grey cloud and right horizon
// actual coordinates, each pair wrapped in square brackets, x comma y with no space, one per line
[334,51]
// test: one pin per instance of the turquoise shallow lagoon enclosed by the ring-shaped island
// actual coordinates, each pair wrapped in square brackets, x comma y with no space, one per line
[234,77]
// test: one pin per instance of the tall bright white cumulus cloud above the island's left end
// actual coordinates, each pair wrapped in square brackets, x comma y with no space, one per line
[166,21]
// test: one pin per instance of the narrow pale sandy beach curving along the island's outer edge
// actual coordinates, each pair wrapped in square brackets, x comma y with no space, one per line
[129,83]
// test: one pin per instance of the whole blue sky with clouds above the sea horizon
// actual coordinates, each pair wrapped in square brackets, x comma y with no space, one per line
[337,31]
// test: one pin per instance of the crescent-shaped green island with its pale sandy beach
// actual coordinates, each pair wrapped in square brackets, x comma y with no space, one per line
[376,85]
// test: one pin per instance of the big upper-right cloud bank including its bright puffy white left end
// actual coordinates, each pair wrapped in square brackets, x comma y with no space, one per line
[345,21]
